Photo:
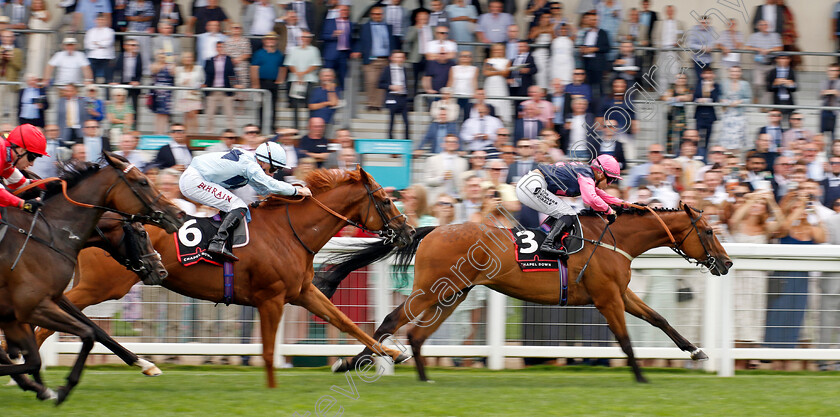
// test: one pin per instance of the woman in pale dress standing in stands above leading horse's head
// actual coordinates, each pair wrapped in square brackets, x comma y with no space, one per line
[735,91]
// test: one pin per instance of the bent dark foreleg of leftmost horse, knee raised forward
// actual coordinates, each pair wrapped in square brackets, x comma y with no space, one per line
[48,314]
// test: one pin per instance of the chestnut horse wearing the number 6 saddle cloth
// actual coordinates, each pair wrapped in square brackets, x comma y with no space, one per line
[276,267]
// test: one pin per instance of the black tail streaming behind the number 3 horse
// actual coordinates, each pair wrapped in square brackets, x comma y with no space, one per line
[337,268]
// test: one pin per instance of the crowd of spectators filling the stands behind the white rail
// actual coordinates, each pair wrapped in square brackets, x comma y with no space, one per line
[568,71]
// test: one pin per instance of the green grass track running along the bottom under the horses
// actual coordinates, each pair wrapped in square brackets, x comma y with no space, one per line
[204,391]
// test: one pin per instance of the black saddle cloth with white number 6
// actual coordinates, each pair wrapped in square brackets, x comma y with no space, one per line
[192,238]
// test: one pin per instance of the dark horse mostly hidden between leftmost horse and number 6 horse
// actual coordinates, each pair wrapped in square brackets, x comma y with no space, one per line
[128,244]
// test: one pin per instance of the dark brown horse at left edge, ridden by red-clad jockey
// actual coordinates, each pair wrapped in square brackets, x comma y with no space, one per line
[31,293]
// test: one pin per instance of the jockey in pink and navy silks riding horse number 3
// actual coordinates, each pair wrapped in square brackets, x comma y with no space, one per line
[540,188]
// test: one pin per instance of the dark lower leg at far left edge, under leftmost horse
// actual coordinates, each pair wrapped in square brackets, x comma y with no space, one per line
[19,337]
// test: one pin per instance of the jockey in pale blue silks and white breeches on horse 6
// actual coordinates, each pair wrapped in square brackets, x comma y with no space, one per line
[210,177]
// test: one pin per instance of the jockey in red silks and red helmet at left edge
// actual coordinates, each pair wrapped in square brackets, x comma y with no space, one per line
[18,151]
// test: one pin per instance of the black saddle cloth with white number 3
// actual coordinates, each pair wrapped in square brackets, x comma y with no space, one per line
[528,242]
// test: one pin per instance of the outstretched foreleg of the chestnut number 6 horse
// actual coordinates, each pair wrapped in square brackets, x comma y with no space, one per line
[315,301]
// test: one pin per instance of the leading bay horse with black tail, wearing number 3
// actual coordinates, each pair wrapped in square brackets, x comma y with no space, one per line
[483,255]
